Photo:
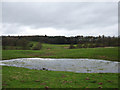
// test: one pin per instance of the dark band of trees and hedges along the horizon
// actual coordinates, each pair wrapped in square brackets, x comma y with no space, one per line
[81,41]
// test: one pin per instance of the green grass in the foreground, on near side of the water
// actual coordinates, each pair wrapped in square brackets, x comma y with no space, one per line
[15,77]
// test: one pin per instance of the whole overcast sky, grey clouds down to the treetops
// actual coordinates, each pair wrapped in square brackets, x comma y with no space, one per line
[64,19]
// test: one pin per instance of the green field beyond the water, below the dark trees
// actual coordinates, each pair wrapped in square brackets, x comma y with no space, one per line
[62,51]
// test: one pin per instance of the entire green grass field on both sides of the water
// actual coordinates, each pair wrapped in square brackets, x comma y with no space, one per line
[14,77]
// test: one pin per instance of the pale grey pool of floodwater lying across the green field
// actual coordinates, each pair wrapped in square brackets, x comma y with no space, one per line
[73,65]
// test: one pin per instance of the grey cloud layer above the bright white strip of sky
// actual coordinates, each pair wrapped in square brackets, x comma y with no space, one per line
[69,16]
